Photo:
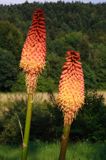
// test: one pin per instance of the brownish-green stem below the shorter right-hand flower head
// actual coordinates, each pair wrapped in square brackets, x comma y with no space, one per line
[64,142]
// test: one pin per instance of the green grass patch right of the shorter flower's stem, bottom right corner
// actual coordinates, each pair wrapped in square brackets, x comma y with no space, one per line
[87,151]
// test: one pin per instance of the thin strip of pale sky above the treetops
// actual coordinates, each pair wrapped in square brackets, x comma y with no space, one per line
[22,1]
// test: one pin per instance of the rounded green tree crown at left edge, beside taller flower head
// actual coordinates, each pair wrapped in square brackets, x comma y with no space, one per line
[10,38]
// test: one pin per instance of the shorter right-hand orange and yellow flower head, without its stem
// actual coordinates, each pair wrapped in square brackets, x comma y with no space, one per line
[71,87]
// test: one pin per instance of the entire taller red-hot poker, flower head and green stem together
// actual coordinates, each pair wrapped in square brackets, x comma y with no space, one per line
[32,62]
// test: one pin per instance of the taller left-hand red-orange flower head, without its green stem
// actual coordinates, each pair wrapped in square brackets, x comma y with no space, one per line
[34,50]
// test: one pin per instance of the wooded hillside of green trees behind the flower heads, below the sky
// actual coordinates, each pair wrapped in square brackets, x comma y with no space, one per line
[77,26]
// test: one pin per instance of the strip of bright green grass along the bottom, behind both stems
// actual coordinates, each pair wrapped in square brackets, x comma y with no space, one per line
[45,151]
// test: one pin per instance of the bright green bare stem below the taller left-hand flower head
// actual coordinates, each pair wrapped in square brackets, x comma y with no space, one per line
[27,127]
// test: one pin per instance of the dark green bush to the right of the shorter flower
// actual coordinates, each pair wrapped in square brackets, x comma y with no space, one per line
[90,123]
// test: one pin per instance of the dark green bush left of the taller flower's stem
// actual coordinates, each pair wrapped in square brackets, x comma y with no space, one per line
[10,129]
